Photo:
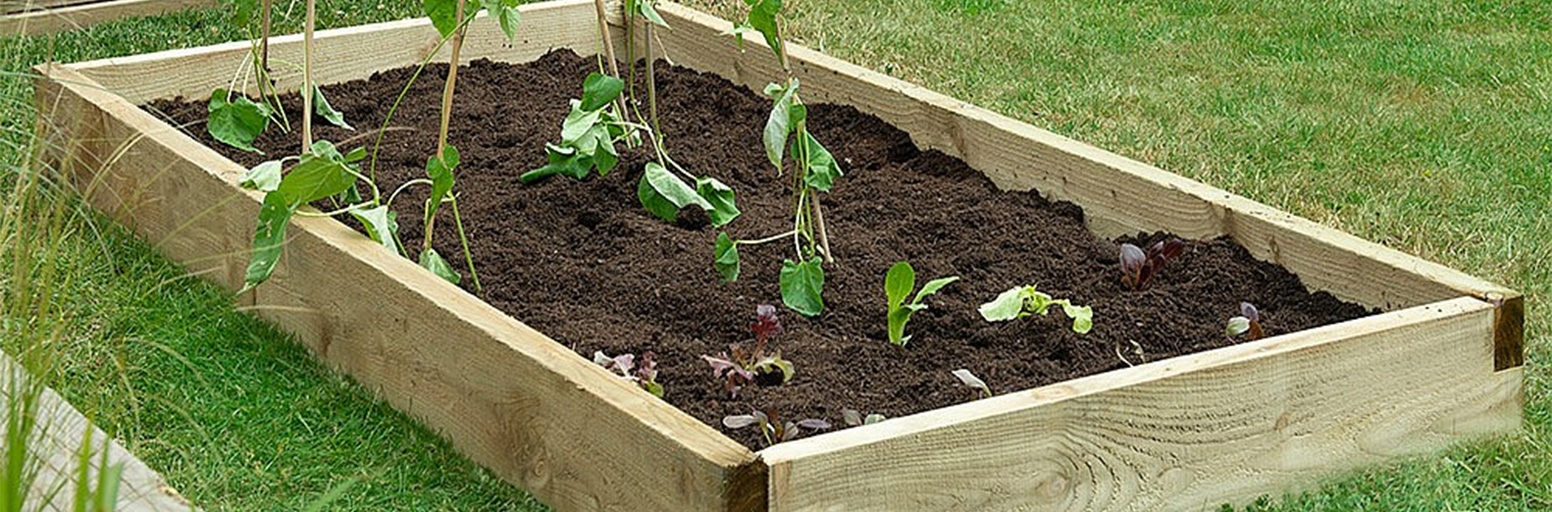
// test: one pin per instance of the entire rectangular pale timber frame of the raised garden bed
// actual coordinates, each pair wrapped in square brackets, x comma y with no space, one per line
[1443,364]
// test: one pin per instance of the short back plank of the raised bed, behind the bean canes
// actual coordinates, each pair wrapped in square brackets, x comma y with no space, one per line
[342,55]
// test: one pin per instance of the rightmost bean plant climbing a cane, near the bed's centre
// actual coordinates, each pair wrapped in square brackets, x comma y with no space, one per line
[816,171]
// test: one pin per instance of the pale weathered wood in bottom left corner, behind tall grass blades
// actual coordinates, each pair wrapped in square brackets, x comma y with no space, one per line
[57,446]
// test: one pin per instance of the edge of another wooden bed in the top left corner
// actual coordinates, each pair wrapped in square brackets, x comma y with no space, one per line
[74,16]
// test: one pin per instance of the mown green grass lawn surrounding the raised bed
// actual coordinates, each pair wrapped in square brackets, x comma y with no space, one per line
[1421,125]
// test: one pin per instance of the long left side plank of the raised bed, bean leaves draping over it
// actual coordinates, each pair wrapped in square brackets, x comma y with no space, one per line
[514,401]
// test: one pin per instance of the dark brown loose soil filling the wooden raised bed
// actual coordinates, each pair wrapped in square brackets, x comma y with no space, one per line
[586,265]
